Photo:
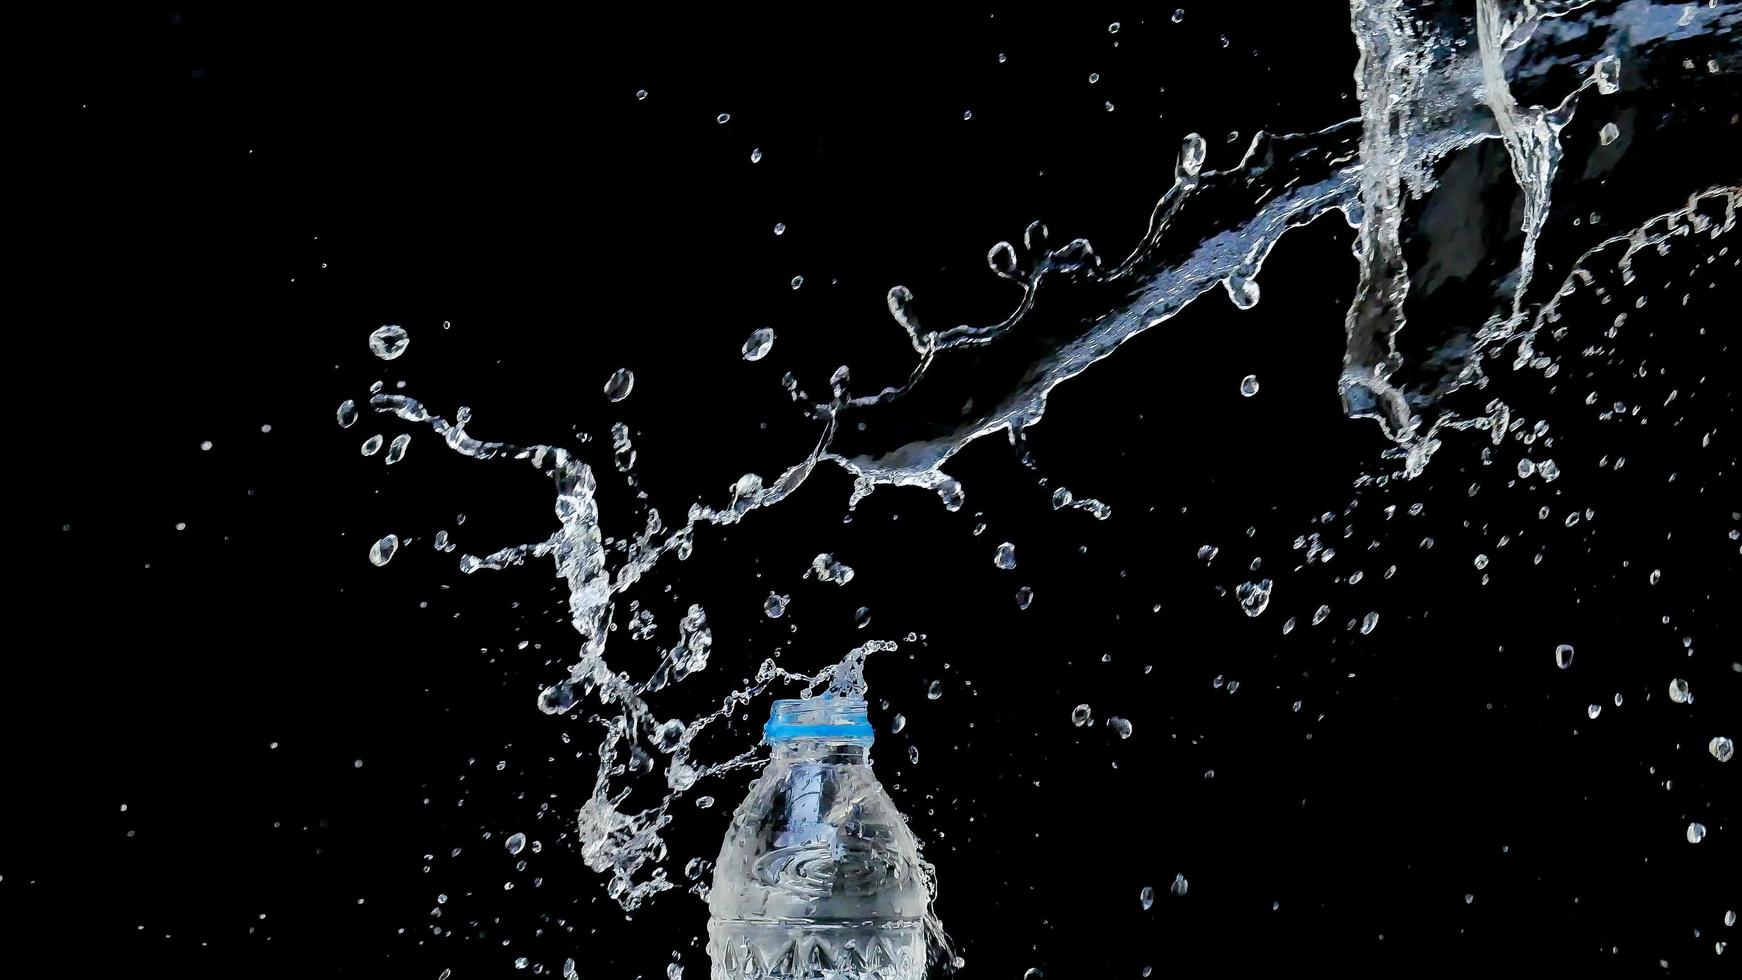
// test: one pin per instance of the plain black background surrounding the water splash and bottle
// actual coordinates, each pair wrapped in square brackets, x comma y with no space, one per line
[234,201]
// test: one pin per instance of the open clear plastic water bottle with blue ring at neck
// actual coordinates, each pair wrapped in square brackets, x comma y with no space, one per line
[820,876]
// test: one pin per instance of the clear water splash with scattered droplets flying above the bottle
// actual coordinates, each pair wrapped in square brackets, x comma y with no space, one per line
[1464,116]
